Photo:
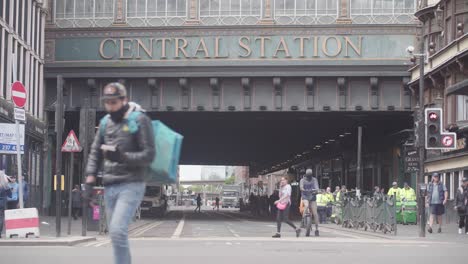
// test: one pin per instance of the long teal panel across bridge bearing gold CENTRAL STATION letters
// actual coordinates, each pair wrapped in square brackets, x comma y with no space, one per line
[233,48]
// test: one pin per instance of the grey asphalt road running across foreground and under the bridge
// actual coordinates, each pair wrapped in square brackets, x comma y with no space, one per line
[227,237]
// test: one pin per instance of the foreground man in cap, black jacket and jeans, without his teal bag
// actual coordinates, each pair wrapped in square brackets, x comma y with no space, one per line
[125,144]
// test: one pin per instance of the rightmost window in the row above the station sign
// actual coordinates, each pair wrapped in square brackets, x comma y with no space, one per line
[383,11]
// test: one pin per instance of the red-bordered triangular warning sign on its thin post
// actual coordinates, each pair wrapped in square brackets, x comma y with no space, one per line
[71,145]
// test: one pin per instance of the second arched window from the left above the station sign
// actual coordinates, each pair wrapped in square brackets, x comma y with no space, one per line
[156,12]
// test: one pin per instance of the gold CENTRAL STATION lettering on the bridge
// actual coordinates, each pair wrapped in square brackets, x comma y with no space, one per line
[241,47]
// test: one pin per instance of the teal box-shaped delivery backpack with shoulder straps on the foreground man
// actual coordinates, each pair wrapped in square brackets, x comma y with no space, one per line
[168,144]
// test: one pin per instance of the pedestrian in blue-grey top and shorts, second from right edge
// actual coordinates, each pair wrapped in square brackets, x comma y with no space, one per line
[437,196]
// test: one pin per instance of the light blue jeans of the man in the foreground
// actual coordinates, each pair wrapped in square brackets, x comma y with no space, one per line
[122,201]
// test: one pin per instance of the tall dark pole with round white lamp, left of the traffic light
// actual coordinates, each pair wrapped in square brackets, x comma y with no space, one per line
[420,137]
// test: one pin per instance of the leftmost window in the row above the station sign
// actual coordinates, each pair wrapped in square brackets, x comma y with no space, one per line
[84,13]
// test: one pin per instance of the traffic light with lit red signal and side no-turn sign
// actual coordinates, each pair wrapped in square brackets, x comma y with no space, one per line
[435,137]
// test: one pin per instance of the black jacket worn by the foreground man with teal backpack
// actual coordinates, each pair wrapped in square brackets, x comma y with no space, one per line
[138,151]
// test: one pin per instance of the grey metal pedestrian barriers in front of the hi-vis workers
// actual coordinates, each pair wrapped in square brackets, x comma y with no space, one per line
[376,213]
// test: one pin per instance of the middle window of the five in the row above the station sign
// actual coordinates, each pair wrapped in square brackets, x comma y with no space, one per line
[230,11]
